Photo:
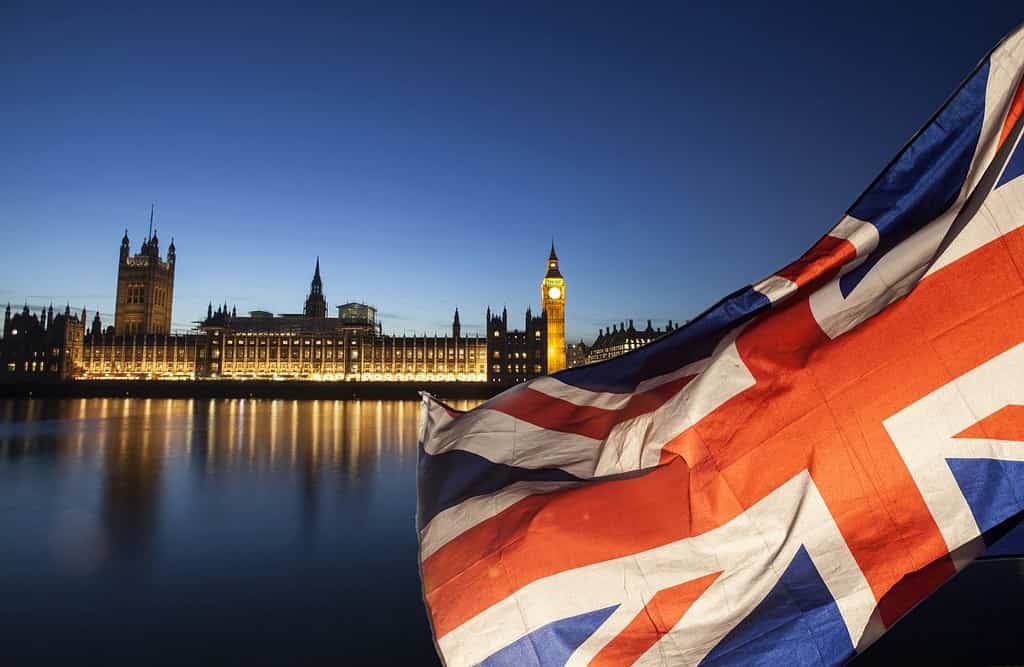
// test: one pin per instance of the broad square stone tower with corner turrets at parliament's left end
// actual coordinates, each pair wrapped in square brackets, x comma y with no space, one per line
[146,288]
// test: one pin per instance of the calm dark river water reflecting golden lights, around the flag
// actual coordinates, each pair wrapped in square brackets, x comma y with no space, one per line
[278,532]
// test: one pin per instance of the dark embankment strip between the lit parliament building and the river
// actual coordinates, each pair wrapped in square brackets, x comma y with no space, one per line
[248,390]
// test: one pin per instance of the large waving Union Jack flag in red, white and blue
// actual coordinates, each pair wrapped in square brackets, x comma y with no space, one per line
[785,477]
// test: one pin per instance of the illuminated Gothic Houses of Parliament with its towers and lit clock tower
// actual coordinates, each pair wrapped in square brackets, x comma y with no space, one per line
[307,346]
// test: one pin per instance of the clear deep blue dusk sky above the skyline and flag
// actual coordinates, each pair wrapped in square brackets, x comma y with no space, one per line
[429,156]
